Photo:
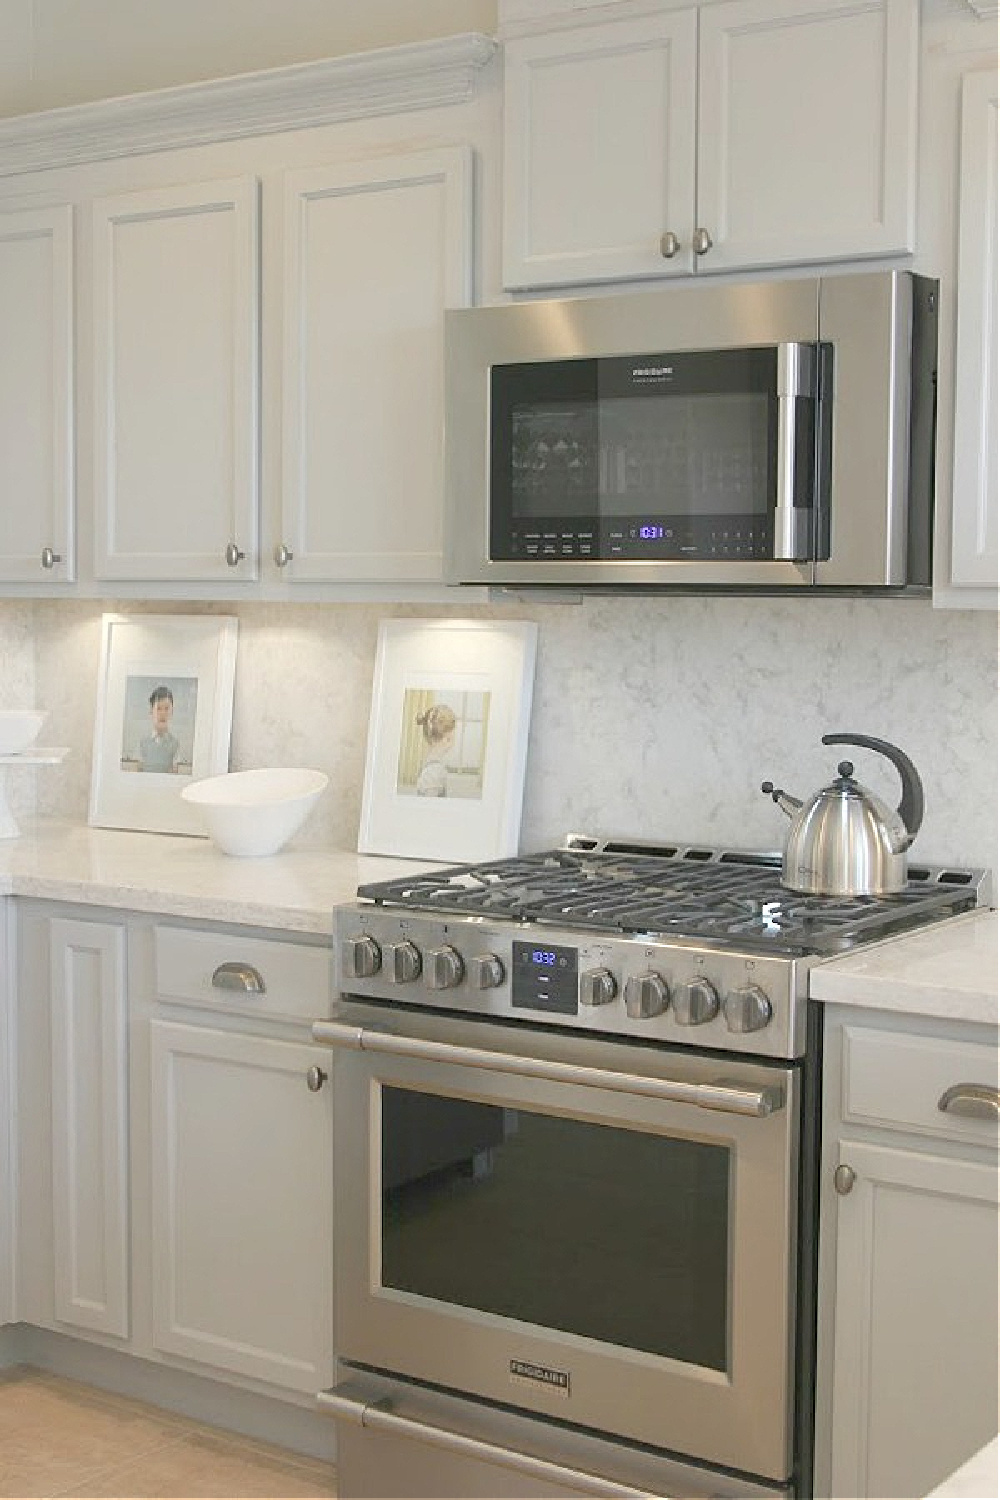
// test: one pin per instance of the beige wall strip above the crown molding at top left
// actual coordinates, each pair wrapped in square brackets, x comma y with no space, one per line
[58,53]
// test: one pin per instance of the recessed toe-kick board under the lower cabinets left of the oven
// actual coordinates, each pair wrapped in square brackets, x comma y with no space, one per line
[266,1420]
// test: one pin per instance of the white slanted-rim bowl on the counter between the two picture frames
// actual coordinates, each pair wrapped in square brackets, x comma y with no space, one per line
[256,812]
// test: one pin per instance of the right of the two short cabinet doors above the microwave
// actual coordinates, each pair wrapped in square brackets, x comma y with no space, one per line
[807,130]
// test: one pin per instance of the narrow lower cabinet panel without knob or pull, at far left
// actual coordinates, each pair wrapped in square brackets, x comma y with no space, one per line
[73,1138]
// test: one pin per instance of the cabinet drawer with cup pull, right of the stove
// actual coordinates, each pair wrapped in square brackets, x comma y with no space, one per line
[903,1082]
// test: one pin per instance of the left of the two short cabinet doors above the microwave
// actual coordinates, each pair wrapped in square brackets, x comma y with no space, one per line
[599,152]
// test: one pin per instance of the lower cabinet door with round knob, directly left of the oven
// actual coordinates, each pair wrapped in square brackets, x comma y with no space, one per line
[242,1177]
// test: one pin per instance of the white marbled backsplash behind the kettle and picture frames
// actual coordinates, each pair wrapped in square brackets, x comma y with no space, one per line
[653,718]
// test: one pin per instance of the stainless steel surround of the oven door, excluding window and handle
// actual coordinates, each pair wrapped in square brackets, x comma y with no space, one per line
[740,1417]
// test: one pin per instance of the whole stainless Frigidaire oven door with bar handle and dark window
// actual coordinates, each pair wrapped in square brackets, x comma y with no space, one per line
[594,1232]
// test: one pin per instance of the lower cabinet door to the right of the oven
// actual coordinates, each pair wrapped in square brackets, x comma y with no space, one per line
[915,1349]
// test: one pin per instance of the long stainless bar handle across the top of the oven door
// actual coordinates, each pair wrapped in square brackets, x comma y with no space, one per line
[729,1099]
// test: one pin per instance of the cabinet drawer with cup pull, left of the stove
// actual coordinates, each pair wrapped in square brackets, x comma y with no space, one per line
[244,976]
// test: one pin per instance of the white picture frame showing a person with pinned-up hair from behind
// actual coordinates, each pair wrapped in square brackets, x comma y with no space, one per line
[448,740]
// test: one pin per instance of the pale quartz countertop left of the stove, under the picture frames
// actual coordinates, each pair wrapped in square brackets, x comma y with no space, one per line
[184,877]
